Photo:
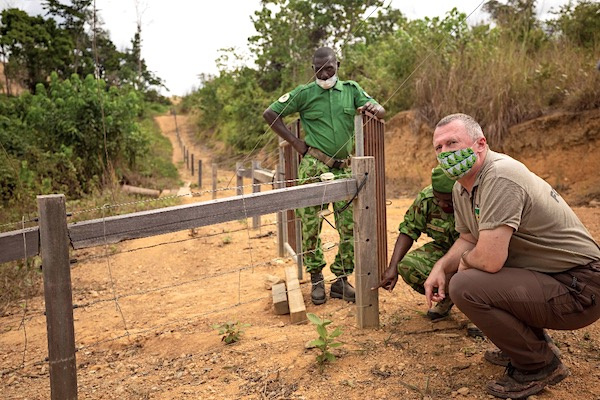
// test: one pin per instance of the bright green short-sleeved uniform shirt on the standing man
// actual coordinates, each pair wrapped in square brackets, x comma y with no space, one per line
[327,116]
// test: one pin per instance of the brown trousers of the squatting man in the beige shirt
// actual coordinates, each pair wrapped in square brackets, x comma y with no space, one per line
[514,305]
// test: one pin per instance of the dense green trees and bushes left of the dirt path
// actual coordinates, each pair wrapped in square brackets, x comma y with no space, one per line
[80,124]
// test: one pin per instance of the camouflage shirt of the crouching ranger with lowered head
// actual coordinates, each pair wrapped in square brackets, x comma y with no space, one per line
[425,216]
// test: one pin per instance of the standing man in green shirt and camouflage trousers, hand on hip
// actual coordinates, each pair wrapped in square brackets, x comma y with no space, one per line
[327,107]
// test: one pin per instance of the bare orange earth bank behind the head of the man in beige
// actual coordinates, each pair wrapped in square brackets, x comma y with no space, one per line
[559,147]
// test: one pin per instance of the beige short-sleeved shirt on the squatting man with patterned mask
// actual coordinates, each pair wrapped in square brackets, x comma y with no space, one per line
[548,236]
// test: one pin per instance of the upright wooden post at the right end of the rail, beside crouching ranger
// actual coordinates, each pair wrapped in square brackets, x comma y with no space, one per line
[365,243]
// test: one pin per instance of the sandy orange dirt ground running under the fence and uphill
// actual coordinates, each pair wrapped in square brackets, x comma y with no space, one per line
[145,310]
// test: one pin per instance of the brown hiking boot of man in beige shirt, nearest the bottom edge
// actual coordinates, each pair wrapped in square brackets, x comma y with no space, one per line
[517,384]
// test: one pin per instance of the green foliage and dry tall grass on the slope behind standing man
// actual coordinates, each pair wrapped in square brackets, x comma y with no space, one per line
[504,71]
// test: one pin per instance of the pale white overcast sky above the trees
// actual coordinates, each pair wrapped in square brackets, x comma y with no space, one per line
[181,38]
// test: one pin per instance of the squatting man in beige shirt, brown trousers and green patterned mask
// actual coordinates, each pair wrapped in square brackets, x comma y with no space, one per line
[523,261]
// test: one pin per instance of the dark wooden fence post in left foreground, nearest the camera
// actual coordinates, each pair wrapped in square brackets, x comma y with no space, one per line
[54,242]
